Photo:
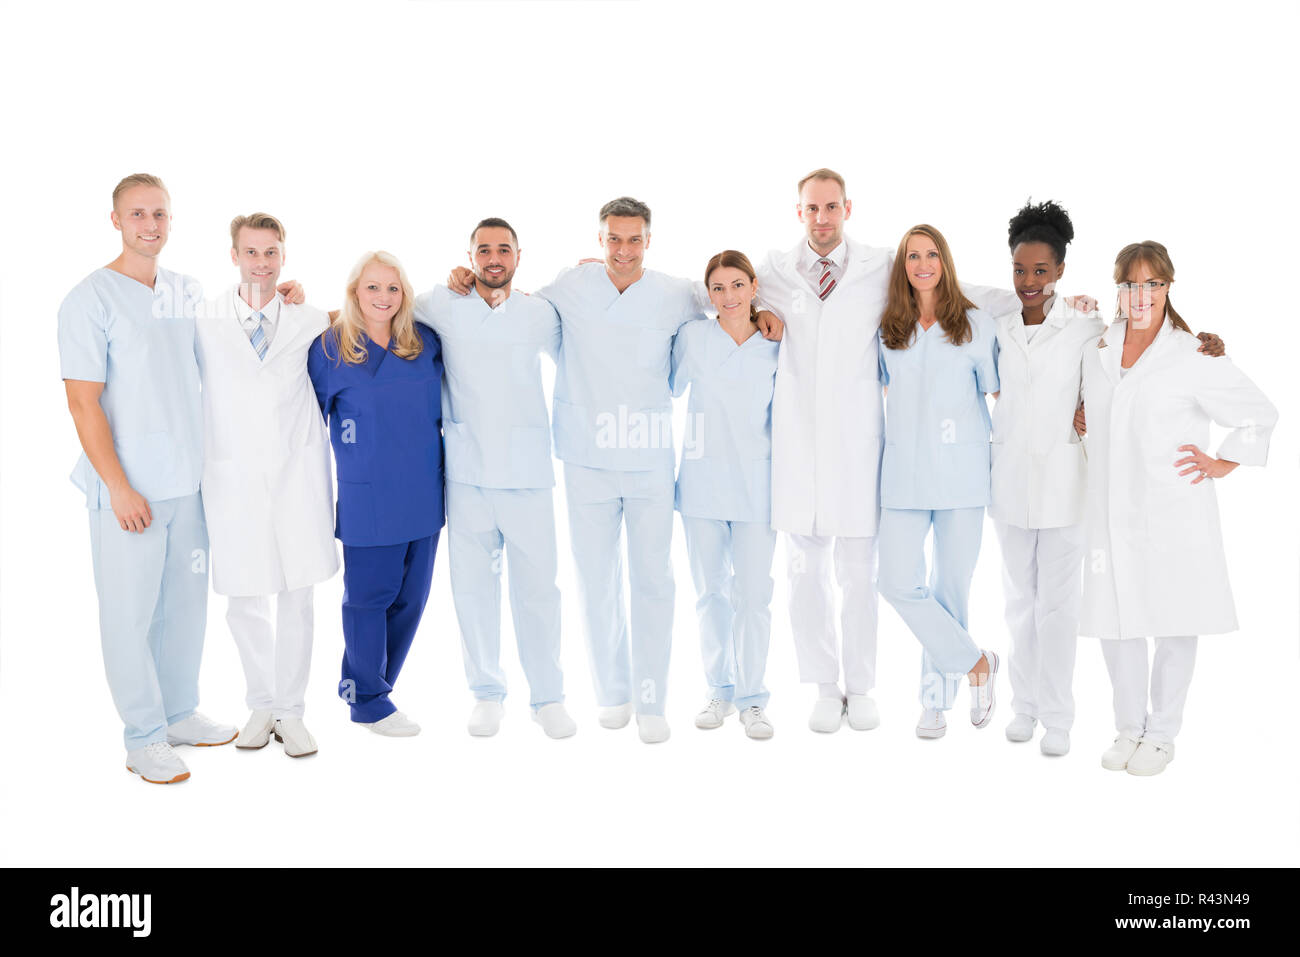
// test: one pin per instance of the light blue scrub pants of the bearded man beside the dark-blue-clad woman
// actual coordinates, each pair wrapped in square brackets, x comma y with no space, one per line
[484,527]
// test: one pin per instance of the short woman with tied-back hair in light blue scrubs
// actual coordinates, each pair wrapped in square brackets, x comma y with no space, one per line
[725,491]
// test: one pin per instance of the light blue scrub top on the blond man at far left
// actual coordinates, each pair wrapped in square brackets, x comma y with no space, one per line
[141,344]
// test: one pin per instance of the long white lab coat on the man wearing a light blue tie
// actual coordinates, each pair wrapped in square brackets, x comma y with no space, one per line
[268,492]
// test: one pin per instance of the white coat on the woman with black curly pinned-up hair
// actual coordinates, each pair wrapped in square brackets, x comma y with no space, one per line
[1039,464]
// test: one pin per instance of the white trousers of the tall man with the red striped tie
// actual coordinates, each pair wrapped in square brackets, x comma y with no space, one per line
[813,609]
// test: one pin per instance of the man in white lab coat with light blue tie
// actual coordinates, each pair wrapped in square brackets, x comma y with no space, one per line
[268,493]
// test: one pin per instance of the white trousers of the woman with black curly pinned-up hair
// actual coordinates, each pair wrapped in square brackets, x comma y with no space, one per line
[1043,583]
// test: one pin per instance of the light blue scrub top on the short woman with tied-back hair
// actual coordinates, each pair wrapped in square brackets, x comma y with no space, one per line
[726,467]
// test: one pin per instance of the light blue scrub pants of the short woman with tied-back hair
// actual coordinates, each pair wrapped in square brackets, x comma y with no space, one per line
[731,564]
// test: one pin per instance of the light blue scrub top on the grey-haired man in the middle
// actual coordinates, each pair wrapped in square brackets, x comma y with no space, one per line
[613,405]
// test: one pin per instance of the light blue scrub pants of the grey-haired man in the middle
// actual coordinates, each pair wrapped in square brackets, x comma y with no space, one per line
[600,503]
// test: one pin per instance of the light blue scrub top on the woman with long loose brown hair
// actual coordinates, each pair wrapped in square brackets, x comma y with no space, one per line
[937,418]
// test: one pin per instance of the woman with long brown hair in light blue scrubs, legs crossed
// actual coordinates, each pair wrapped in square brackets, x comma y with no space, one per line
[938,361]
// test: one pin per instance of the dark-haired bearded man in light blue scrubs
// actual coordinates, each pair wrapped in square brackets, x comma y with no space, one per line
[500,477]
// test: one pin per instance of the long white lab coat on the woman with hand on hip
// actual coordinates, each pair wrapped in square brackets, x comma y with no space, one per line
[1155,561]
